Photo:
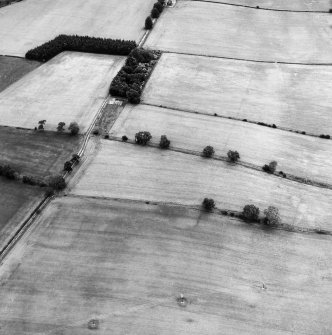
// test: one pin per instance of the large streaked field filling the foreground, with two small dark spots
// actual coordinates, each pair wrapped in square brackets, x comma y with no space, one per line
[125,264]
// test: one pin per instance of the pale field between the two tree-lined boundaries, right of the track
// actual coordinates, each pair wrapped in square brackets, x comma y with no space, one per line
[129,171]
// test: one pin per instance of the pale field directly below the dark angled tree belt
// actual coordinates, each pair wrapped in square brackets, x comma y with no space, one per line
[70,87]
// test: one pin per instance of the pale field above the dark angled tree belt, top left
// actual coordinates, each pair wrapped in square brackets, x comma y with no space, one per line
[48,18]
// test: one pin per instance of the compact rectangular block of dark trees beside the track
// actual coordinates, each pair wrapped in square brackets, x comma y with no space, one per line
[130,80]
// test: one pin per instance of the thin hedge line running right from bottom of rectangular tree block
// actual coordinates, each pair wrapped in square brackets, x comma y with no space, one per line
[299,132]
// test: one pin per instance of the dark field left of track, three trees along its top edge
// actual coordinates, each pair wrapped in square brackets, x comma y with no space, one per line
[36,153]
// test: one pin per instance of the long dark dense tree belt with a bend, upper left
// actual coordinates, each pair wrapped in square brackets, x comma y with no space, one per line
[88,44]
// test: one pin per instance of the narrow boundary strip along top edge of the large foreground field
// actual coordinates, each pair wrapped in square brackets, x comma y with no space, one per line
[236,215]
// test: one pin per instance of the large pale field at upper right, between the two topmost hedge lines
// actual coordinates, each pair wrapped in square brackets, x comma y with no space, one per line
[212,29]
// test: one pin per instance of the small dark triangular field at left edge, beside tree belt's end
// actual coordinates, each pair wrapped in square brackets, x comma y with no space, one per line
[13,69]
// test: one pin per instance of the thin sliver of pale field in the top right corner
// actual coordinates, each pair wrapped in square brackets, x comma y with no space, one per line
[296,5]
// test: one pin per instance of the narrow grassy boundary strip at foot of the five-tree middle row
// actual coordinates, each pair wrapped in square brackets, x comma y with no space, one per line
[247,165]
